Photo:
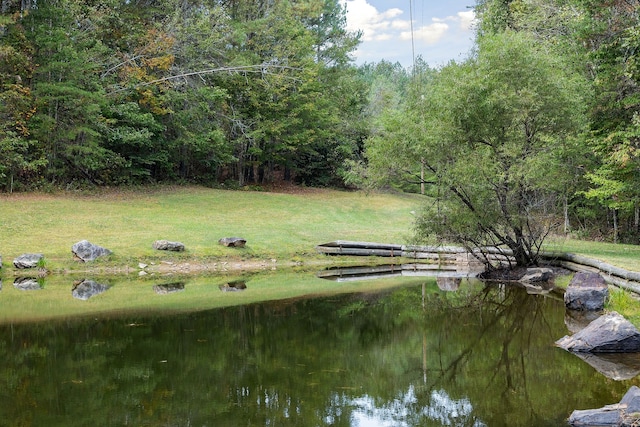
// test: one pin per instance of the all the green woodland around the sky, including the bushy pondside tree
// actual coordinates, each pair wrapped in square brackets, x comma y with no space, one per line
[236,92]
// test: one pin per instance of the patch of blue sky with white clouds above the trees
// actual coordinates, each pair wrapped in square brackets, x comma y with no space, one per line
[442,30]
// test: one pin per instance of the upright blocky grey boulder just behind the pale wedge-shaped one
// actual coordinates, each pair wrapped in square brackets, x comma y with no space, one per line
[586,291]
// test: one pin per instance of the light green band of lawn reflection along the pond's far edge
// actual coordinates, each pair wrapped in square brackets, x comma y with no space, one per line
[121,294]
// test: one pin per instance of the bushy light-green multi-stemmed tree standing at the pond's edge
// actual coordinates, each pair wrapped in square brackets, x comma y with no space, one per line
[494,135]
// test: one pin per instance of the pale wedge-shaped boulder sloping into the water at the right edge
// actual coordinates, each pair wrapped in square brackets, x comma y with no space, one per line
[611,333]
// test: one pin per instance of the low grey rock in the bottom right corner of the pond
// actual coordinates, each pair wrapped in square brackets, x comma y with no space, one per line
[623,414]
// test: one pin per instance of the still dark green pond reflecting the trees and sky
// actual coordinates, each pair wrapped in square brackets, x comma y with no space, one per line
[415,352]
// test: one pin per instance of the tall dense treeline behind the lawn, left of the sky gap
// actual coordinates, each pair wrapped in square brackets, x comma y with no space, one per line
[134,91]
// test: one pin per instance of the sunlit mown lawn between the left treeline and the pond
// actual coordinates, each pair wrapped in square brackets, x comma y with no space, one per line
[276,226]
